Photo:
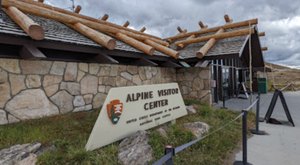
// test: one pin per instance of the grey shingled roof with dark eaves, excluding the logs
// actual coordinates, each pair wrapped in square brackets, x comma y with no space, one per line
[59,37]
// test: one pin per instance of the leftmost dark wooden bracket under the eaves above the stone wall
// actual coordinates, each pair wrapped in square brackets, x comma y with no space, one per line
[31,52]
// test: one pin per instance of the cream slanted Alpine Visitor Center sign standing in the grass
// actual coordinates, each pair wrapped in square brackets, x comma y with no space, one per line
[129,109]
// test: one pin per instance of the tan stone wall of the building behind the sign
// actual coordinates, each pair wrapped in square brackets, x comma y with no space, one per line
[34,89]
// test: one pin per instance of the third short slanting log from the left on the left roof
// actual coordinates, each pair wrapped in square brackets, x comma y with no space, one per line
[135,43]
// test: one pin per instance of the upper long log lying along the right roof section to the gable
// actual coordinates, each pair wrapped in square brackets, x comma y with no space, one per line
[214,29]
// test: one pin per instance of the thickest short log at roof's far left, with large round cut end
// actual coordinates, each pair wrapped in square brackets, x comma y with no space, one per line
[34,30]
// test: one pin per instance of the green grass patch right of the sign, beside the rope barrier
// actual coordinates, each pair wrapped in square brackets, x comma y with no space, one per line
[215,149]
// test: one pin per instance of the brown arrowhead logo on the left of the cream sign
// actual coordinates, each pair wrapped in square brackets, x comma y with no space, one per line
[114,110]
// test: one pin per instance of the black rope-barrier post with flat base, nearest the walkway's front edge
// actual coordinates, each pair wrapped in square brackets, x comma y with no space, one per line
[244,141]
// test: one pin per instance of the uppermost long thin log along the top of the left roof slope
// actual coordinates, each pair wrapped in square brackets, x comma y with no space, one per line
[45,6]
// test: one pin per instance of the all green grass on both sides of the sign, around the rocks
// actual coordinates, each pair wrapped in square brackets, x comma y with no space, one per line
[69,134]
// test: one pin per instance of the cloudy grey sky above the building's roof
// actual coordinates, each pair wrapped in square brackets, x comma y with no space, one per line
[280,19]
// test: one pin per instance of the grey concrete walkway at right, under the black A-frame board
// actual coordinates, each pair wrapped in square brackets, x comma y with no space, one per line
[282,145]
